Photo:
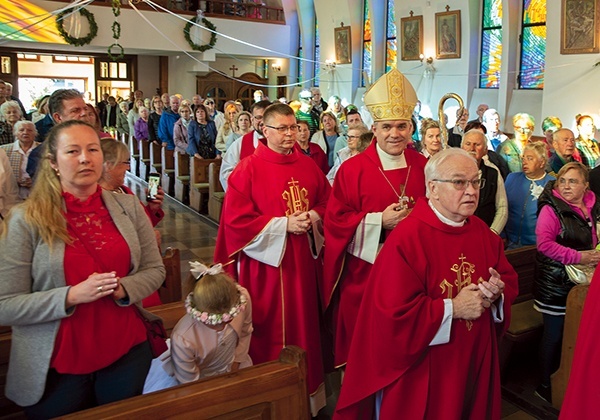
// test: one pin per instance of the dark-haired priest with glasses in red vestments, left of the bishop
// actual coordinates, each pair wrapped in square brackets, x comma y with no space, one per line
[272,228]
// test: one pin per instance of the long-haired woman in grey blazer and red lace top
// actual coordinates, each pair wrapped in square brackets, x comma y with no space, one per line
[80,260]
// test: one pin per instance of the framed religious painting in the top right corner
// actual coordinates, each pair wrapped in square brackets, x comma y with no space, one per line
[580,26]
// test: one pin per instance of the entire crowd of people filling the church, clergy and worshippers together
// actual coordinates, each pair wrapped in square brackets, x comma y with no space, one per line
[347,231]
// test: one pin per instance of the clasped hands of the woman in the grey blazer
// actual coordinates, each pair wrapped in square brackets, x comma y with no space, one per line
[96,286]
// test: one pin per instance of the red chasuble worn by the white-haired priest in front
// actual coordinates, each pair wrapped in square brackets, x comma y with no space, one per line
[423,262]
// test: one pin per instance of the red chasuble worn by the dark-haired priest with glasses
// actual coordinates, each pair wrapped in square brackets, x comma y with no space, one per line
[285,307]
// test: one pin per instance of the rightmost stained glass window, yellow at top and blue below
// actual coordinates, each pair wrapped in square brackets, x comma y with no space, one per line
[533,45]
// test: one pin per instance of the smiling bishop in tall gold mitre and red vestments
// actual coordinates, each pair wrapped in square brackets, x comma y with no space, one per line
[372,192]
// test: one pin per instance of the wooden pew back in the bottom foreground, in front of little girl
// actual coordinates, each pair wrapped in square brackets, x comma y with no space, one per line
[273,390]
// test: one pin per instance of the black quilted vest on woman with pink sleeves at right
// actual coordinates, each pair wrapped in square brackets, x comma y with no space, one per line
[552,283]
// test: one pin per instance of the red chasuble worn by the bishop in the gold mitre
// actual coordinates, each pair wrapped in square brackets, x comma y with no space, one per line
[360,187]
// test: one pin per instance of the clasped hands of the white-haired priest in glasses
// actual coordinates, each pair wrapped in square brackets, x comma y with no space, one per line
[474,299]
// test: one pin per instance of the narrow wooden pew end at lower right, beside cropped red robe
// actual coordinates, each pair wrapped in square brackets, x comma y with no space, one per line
[560,378]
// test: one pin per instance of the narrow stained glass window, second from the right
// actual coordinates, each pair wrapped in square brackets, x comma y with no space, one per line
[491,44]
